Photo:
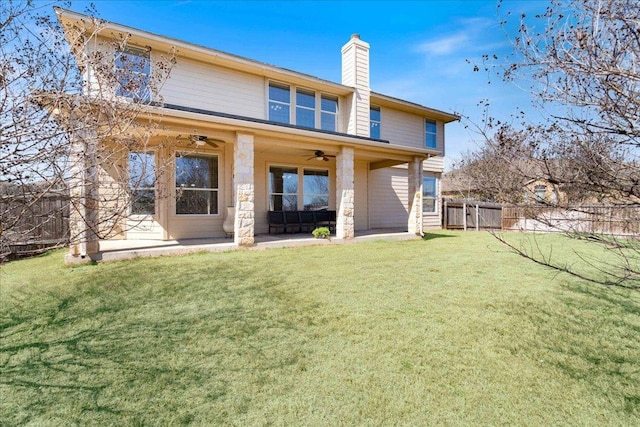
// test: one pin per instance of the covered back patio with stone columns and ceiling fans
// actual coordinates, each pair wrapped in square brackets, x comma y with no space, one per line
[243,158]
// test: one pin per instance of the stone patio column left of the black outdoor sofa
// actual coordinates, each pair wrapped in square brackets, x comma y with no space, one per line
[244,190]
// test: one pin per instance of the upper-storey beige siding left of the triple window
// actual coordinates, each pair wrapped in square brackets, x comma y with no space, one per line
[198,85]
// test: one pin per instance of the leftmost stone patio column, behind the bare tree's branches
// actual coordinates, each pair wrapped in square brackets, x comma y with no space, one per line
[83,189]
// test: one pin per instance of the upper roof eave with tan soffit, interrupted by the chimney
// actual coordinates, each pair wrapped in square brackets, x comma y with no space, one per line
[236,62]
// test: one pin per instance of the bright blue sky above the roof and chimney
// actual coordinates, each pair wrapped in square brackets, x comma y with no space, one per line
[418,48]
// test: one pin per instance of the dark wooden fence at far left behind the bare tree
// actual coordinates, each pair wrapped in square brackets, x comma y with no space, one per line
[42,222]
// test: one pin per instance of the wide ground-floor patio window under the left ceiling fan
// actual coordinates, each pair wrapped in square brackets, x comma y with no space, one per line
[196,185]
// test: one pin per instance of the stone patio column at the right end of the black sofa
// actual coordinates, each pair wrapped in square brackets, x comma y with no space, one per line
[344,194]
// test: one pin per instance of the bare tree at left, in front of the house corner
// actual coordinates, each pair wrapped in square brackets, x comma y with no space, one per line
[60,131]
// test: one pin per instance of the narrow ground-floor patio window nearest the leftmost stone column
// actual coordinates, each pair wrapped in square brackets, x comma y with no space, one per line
[142,177]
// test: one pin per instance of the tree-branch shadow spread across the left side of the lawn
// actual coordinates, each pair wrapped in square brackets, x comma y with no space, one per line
[103,351]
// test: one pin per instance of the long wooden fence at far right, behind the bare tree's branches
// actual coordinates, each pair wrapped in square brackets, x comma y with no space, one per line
[588,218]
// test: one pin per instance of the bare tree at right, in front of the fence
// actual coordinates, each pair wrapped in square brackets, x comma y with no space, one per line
[580,60]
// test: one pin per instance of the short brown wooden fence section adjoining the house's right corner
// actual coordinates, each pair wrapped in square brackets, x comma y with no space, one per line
[471,215]
